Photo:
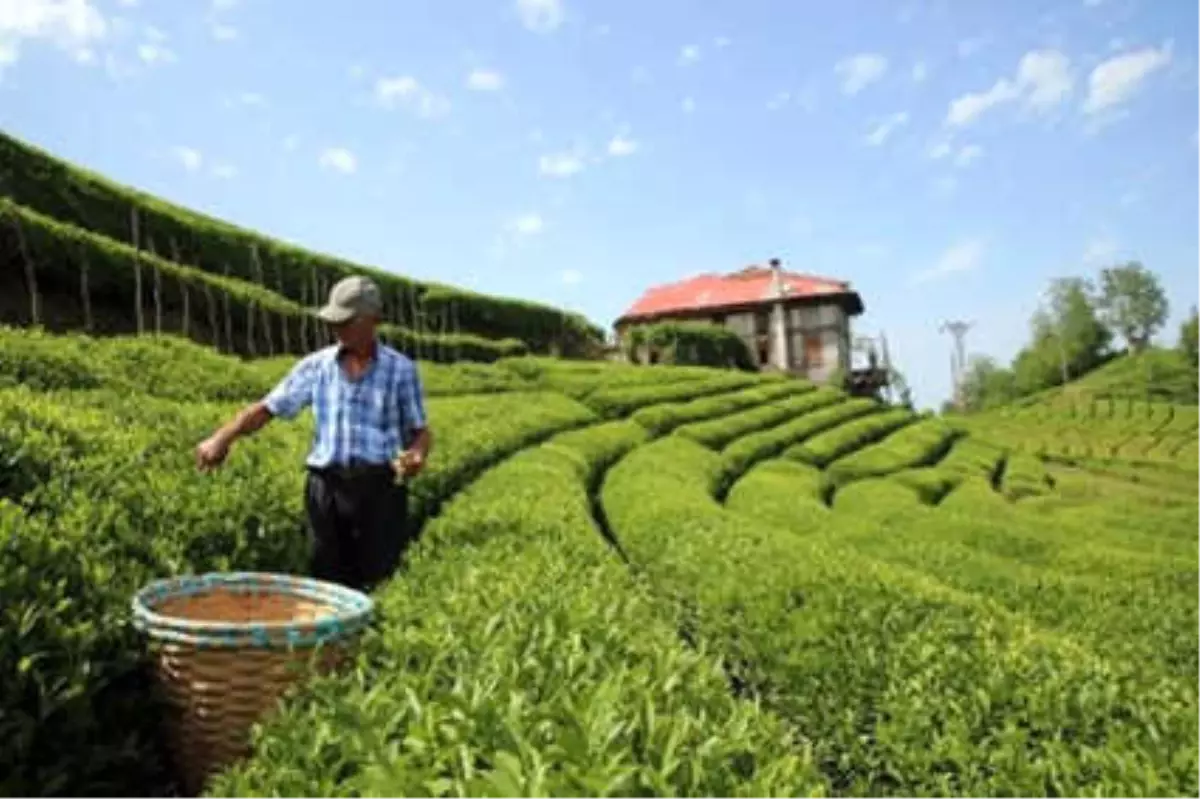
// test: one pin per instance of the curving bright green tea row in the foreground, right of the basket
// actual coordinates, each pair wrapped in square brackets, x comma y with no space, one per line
[520,658]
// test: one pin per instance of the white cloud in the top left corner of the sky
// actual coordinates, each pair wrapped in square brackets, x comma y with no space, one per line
[74,27]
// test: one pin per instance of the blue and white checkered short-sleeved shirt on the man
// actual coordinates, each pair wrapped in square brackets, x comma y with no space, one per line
[370,419]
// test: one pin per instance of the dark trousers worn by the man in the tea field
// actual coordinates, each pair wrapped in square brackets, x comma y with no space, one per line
[359,525]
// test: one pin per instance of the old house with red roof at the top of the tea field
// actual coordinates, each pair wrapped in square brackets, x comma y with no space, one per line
[790,322]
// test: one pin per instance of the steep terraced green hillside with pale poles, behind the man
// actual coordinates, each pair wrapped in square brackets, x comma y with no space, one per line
[136,238]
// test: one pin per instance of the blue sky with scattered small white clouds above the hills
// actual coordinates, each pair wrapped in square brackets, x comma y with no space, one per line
[947,158]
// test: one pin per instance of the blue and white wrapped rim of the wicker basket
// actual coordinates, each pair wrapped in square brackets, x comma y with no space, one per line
[351,608]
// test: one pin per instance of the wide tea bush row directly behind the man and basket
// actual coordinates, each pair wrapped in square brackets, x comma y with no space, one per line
[112,476]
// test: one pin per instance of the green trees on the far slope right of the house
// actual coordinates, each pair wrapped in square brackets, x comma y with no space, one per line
[1083,325]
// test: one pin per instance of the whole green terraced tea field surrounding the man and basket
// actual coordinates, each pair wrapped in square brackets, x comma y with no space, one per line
[632,581]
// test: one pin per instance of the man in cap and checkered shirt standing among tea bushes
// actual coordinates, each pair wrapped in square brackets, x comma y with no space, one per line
[368,406]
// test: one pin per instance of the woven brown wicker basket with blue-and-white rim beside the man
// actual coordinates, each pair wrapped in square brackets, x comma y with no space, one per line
[227,646]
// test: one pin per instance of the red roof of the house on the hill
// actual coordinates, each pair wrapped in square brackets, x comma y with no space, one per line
[746,287]
